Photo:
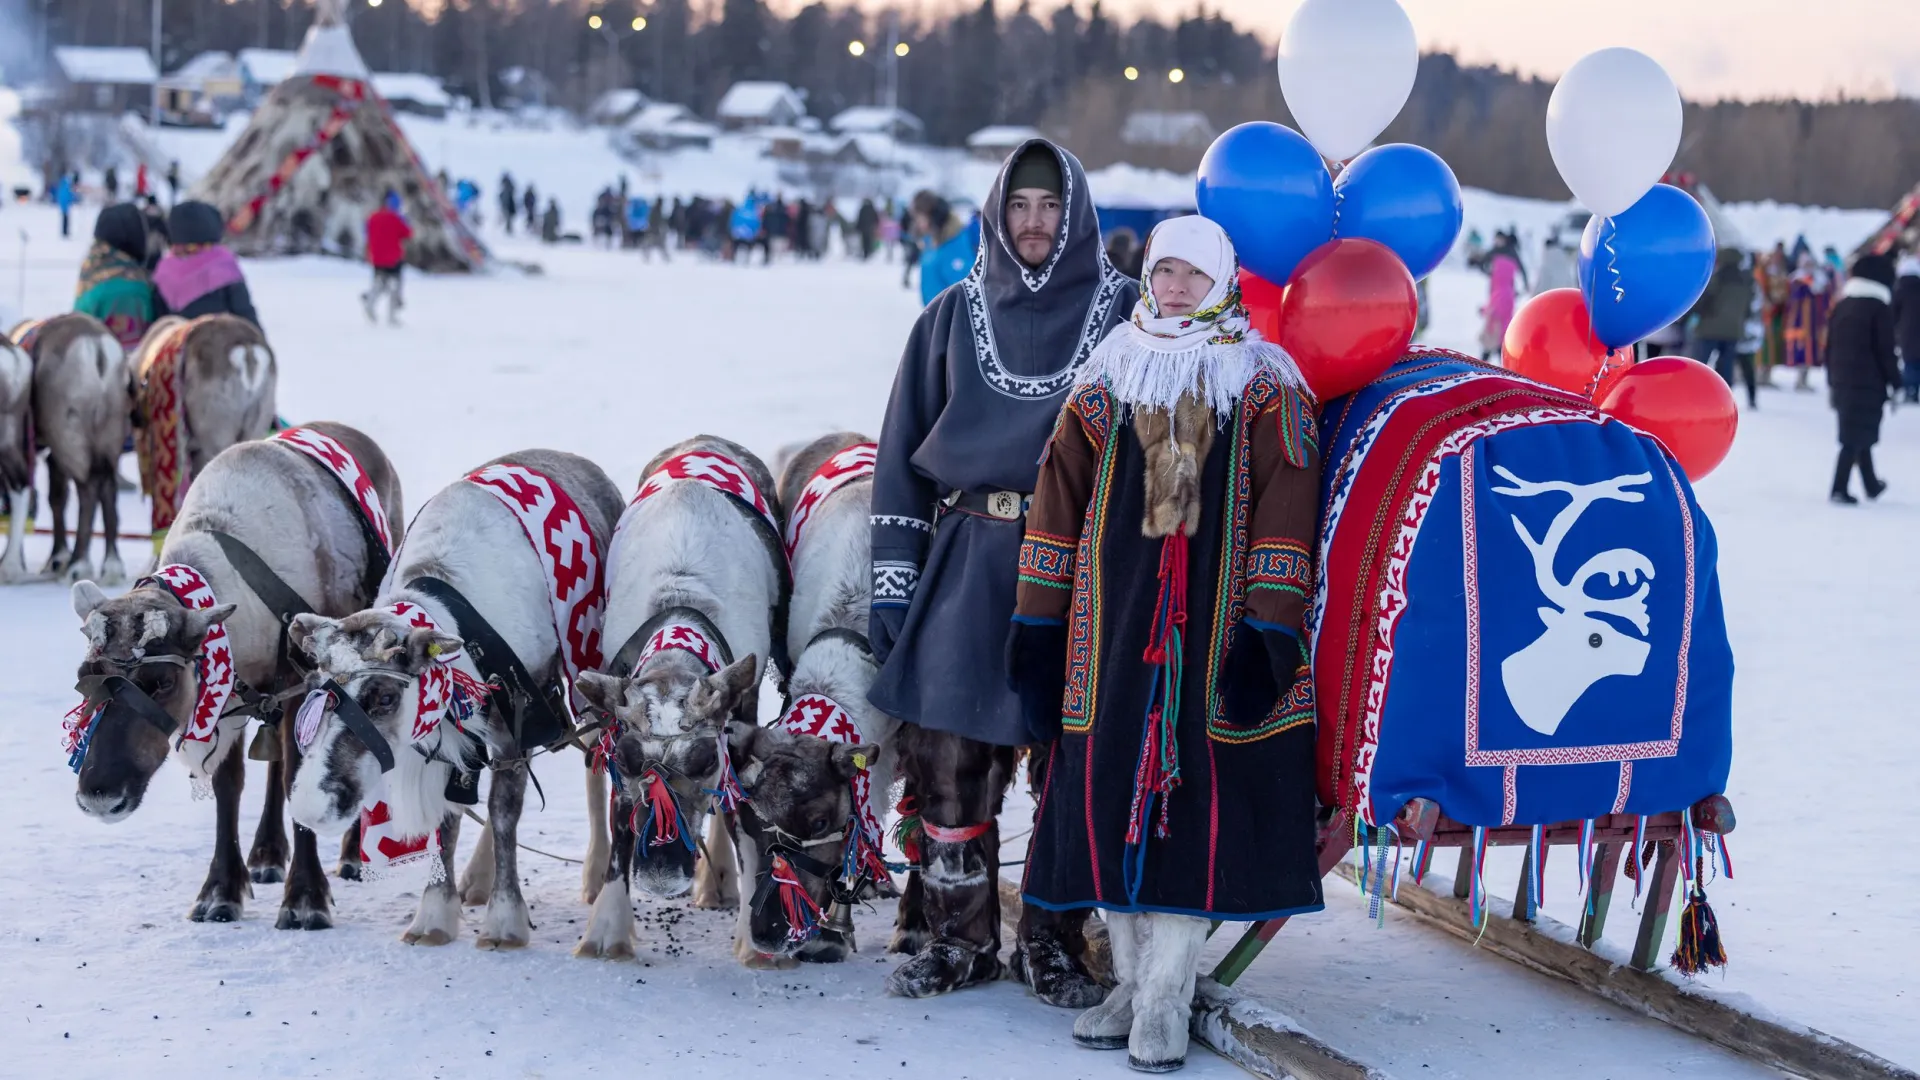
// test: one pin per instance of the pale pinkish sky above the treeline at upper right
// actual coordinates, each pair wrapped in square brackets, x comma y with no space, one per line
[1714,49]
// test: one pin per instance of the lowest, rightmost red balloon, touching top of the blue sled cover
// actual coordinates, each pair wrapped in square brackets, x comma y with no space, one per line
[1683,405]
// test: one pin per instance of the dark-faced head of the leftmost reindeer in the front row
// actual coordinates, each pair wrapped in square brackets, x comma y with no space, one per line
[151,639]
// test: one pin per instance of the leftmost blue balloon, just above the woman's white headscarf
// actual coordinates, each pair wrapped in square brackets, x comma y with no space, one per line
[1270,191]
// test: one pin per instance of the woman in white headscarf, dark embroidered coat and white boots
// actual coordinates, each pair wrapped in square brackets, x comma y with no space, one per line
[1166,574]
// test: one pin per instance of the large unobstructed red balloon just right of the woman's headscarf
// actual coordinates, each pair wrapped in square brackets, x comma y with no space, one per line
[1349,314]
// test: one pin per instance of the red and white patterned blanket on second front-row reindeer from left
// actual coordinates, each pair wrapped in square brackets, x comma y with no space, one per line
[573,562]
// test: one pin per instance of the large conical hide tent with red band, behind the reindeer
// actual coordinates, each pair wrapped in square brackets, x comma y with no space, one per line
[318,159]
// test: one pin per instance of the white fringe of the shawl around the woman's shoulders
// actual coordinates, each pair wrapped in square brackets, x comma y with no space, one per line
[1141,376]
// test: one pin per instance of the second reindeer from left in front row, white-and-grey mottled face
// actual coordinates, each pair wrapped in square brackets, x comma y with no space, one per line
[464,539]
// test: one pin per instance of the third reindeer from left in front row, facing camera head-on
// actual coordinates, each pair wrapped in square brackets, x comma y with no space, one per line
[696,583]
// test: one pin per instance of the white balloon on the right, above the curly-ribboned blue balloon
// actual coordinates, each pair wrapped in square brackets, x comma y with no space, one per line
[1614,128]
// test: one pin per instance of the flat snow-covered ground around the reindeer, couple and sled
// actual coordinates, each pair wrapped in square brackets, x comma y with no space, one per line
[612,358]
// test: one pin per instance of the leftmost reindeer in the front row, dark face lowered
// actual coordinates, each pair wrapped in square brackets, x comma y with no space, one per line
[308,529]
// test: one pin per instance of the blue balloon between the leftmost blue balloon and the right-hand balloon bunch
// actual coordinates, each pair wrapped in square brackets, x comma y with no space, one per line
[1403,197]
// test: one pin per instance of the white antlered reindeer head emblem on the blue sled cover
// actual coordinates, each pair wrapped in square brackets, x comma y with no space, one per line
[1577,650]
